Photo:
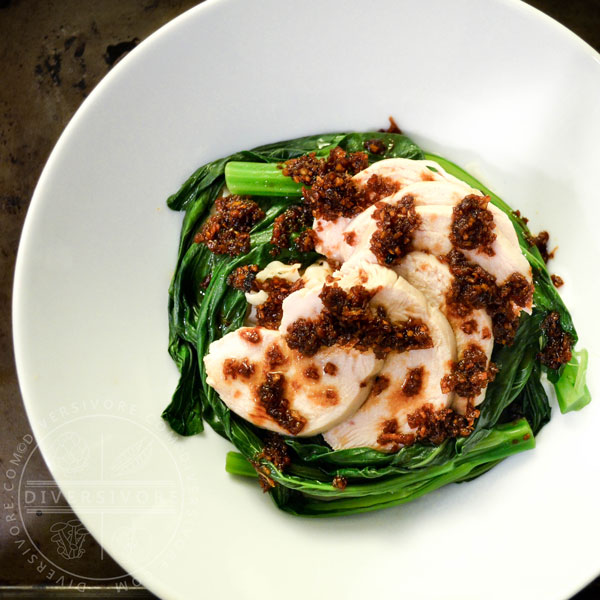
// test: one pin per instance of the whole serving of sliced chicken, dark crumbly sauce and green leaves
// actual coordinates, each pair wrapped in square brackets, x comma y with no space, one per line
[364,321]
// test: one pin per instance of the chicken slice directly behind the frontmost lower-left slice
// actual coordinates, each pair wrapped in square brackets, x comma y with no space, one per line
[398,399]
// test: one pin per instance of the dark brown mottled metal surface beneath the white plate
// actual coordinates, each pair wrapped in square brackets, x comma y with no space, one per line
[52,54]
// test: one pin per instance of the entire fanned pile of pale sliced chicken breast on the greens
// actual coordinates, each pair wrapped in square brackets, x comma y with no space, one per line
[353,398]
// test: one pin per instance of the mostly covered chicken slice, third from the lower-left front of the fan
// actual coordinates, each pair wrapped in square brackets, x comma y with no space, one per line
[433,278]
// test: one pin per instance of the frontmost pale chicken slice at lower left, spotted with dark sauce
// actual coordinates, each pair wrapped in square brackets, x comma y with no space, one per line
[317,392]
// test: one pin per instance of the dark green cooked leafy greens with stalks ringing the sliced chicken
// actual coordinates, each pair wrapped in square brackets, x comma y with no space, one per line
[203,308]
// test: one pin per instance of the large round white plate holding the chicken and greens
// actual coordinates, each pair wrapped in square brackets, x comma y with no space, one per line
[494,85]
